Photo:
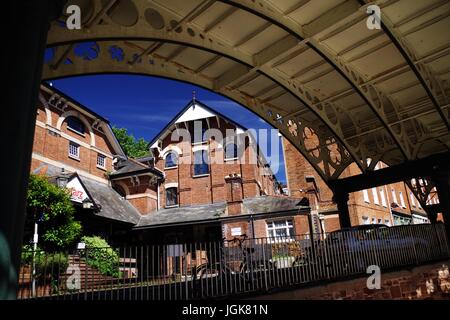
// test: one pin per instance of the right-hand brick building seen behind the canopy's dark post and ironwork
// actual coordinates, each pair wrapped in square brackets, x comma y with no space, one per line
[391,204]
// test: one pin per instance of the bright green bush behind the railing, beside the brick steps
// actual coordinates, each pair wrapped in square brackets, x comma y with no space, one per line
[101,256]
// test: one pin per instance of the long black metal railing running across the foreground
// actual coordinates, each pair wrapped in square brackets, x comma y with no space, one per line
[224,268]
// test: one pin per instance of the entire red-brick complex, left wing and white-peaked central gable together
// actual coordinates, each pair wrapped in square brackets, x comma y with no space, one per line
[205,178]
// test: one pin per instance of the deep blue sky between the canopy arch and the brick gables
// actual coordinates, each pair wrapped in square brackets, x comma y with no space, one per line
[145,104]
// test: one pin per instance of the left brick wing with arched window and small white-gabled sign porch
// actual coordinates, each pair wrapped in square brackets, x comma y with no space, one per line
[76,148]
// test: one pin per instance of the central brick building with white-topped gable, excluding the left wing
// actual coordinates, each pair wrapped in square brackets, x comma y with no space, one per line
[208,180]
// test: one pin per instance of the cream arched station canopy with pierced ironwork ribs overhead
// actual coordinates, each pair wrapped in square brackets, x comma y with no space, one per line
[339,91]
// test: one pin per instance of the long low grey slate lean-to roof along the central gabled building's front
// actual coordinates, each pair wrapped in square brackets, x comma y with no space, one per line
[267,205]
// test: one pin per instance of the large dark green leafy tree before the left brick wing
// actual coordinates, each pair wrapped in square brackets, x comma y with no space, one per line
[52,208]
